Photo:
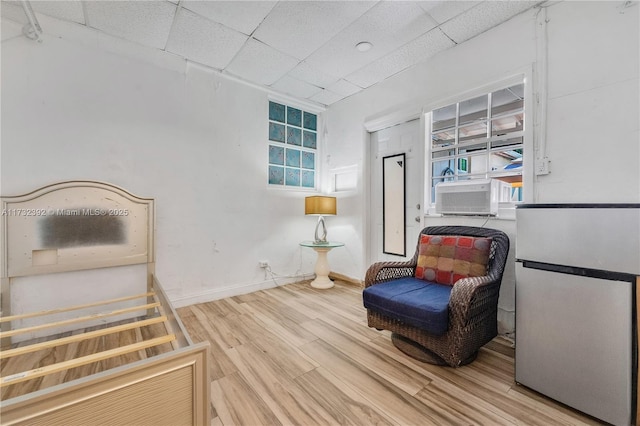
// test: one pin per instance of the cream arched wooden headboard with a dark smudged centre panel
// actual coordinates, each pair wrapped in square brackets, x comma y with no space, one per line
[75,225]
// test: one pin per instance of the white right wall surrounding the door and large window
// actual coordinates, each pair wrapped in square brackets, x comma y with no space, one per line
[592,125]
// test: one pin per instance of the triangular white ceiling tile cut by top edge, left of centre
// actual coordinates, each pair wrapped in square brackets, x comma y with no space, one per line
[243,16]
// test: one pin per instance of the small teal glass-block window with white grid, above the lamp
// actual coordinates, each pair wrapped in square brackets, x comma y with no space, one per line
[292,146]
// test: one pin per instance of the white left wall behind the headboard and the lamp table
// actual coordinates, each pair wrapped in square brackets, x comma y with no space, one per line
[191,139]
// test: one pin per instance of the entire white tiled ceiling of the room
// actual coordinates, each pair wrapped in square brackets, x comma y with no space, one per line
[306,49]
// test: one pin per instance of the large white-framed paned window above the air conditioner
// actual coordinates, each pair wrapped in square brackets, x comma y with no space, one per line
[479,138]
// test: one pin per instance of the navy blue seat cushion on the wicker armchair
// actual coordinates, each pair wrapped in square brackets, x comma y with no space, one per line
[416,302]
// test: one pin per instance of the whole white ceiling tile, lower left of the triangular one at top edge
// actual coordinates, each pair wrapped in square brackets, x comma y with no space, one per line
[204,41]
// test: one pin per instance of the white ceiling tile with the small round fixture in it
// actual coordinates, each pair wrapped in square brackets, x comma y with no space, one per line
[387,26]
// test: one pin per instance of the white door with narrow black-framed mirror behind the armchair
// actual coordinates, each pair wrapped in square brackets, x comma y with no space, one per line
[401,139]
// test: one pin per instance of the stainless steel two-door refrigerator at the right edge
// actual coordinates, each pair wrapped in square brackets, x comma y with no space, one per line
[576,326]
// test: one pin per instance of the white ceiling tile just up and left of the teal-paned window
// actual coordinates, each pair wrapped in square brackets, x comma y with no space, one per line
[260,63]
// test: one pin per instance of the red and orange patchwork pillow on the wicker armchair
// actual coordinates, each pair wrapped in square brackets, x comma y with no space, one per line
[445,259]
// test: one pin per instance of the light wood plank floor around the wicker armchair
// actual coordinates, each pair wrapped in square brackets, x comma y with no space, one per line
[294,355]
